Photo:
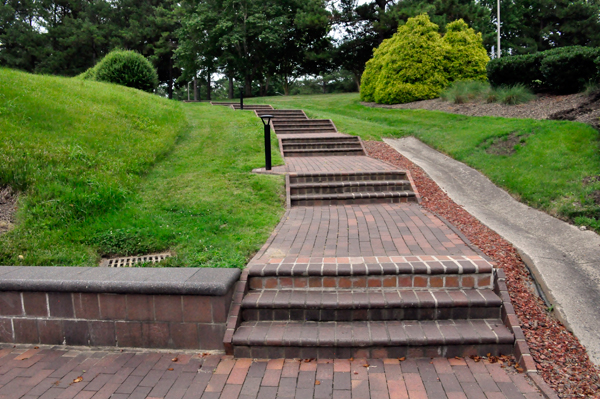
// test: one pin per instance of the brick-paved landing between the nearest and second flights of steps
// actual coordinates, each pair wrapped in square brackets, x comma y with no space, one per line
[363,230]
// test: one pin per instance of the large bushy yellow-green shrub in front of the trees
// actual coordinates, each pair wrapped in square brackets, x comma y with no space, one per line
[417,63]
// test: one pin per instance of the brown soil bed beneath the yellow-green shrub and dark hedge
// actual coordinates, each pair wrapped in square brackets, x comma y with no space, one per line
[575,107]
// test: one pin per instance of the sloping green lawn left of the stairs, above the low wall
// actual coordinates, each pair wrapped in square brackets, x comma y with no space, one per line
[106,170]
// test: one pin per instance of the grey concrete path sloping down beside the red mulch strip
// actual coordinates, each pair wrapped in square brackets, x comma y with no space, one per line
[564,259]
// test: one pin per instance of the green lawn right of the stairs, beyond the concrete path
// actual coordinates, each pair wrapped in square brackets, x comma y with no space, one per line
[547,172]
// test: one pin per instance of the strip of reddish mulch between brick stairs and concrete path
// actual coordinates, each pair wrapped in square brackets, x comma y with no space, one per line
[560,358]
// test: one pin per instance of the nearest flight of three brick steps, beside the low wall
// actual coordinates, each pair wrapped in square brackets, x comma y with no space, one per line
[396,307]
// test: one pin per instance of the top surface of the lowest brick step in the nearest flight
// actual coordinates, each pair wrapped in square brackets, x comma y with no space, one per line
[372,333]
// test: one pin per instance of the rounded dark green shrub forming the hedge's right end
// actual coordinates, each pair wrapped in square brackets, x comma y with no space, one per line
[570,70]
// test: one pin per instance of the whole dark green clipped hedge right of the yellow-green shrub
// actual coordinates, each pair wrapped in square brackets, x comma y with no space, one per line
[563,69]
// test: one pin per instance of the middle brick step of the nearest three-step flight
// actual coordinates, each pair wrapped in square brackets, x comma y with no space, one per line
[371,304]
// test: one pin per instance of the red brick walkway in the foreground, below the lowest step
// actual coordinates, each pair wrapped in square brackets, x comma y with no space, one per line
[50,373]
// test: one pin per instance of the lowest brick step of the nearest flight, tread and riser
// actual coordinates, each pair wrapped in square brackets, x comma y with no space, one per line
[371,339]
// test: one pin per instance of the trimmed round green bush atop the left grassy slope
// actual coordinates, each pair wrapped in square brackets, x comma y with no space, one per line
[127,68]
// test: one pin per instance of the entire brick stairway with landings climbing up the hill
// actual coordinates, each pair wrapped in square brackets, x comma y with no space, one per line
[361,307]
